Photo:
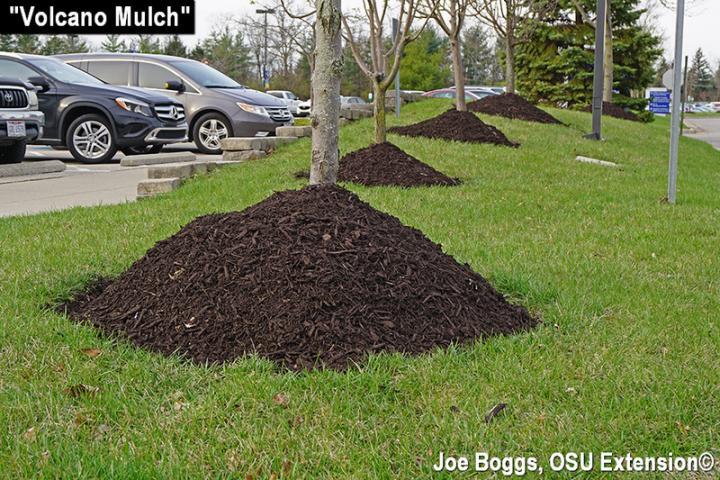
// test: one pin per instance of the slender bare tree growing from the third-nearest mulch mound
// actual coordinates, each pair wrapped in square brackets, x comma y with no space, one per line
[450,17]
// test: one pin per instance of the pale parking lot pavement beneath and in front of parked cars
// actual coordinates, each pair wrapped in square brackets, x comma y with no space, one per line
[78,185]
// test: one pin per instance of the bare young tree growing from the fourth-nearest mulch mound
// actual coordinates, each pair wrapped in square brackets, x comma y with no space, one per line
[507,18]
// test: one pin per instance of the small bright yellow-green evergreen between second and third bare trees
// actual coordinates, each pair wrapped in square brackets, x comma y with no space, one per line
[424,65]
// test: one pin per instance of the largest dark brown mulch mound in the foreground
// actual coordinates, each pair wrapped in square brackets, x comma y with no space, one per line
[311,278]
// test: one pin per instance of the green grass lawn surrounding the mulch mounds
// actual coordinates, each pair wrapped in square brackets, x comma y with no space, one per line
[627,358]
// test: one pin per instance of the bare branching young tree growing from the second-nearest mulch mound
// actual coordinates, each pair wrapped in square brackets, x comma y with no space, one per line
[384,60]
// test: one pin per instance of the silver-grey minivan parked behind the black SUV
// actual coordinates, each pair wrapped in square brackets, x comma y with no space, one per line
[216,106]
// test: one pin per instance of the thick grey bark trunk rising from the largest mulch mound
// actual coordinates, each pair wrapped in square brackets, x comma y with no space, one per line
[326,93]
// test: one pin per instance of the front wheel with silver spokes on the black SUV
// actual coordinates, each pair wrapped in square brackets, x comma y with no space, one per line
[90,139]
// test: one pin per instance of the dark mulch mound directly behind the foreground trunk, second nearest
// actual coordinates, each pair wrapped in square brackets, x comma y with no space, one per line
[384,164]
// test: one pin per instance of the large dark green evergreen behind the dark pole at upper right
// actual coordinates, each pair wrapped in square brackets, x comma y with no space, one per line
[556,64]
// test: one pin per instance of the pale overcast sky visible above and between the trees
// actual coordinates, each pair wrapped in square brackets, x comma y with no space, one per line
[702,23]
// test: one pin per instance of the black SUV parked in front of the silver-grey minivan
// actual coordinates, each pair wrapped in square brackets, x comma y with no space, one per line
[92,119]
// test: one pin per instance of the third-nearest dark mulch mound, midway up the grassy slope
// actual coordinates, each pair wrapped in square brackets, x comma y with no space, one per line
[458,126]
